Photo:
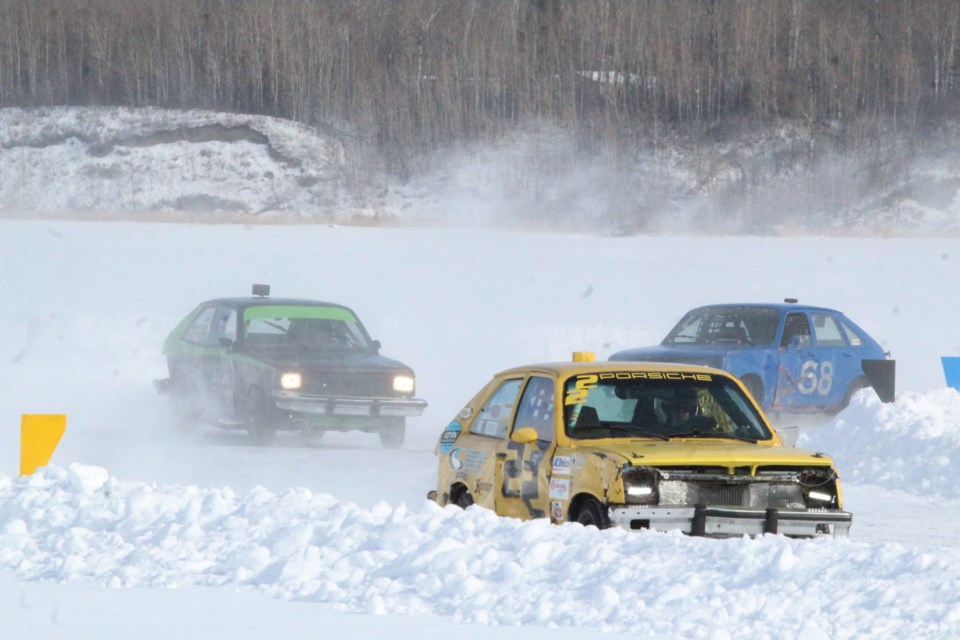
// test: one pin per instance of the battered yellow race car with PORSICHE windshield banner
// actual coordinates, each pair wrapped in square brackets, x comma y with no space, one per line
[638,445]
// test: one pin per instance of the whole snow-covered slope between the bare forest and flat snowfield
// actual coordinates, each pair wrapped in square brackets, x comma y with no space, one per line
[173,165]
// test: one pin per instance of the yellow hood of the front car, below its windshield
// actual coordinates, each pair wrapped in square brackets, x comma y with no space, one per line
[708,452]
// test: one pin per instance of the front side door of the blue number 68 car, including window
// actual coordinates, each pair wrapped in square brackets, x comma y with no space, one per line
[797,373]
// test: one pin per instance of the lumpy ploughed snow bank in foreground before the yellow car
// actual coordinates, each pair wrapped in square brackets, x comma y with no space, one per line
[80,525]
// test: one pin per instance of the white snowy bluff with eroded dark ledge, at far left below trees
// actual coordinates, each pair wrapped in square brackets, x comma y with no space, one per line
[167,164]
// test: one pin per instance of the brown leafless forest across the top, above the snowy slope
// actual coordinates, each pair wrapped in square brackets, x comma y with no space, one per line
[407,77]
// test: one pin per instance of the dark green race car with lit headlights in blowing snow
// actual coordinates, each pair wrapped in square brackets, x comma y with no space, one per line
[264,364]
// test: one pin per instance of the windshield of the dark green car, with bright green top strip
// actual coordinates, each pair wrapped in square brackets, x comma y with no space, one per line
[314,328]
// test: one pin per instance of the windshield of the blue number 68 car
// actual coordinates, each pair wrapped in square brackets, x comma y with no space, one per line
[726,324]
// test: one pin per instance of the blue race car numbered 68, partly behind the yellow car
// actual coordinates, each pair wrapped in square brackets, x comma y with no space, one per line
[792,358]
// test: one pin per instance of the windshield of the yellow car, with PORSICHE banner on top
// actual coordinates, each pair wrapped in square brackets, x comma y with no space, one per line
[650,404]
